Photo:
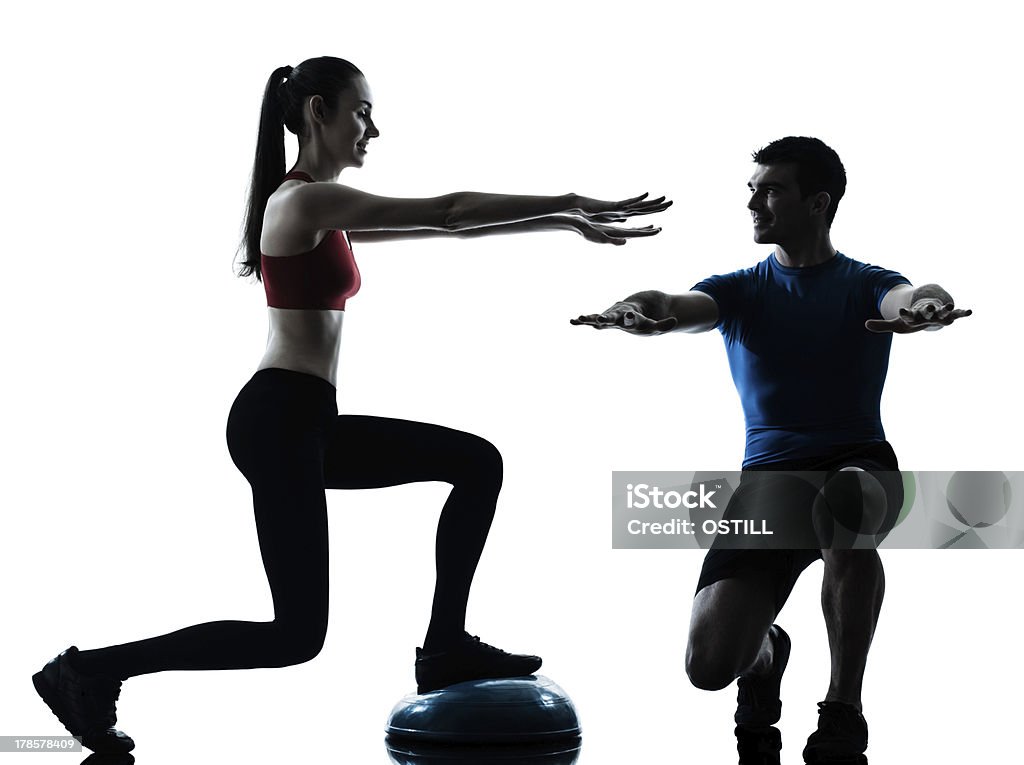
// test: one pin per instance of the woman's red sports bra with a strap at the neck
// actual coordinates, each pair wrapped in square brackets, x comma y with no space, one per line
[321,279]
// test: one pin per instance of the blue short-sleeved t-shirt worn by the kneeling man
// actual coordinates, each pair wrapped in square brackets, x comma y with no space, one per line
[809,375]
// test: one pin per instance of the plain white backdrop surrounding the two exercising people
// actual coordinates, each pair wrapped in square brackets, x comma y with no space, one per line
[129,136]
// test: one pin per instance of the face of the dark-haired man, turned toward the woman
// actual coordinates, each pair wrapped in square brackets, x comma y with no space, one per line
[780,214]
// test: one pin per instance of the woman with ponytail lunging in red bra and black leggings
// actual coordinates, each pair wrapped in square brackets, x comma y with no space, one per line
[284,432]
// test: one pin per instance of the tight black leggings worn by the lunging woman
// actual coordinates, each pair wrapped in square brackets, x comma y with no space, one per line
[285,436]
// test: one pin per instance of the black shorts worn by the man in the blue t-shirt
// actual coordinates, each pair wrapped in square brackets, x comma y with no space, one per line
[785,567]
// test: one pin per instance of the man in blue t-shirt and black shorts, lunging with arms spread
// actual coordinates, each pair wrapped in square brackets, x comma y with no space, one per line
[808,333]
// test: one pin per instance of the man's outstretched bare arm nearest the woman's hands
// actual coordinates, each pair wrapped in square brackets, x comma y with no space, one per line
[654,313]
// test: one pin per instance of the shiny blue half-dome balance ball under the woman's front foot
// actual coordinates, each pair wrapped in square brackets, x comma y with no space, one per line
[521,711]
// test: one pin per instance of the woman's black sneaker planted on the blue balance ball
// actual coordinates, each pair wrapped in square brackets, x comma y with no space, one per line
[470,660]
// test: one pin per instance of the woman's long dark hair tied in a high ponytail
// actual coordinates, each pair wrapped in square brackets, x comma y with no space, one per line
[284,102]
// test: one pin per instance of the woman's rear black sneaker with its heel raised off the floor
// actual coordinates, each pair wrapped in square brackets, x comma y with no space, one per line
[84,704]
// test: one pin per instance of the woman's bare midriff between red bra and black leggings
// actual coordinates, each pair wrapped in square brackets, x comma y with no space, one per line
[305,341]
